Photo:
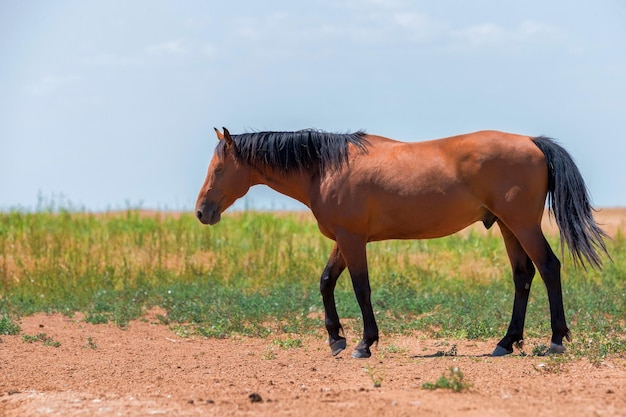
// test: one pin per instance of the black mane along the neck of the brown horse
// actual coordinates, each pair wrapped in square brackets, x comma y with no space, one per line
[289,151]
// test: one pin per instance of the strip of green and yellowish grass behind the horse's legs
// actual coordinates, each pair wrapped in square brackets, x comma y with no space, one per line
[257,274]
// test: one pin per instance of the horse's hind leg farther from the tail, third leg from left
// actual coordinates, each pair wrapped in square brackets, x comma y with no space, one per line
[523,273]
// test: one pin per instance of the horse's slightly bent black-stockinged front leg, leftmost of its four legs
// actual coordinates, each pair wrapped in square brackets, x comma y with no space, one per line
[334,268]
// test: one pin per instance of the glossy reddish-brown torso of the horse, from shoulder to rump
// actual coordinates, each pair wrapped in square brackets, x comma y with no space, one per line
[437,187]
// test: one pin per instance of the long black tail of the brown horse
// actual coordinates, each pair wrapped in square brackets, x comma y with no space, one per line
[569,203]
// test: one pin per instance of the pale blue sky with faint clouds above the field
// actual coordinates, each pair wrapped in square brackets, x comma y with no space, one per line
[107,105]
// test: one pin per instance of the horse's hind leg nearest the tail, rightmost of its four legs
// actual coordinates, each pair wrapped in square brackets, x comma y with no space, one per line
[549,266]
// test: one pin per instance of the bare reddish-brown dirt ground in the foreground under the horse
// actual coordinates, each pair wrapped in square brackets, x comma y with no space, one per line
[101,370]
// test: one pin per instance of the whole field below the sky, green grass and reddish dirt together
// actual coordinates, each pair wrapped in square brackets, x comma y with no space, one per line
[142,313]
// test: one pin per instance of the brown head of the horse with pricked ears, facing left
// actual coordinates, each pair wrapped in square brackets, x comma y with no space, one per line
[227,180]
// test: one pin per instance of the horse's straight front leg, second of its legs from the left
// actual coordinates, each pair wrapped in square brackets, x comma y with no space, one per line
[354,253]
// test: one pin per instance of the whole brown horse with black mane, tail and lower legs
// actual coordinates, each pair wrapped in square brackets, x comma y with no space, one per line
[363,188]
